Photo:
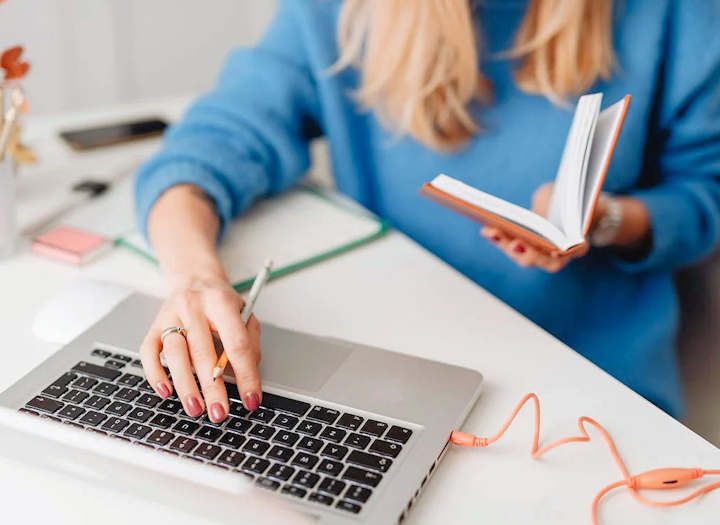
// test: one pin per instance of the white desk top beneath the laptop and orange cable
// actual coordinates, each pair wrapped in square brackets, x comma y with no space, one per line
[427,309]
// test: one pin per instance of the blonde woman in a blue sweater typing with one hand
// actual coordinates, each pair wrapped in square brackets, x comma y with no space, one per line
[405,89]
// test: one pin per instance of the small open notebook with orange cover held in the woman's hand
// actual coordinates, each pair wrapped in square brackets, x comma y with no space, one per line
[579,179]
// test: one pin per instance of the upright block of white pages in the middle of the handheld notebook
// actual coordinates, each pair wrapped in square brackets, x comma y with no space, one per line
[565,210]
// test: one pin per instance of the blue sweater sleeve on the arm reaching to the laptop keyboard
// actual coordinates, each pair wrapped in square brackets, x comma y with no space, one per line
[250,135]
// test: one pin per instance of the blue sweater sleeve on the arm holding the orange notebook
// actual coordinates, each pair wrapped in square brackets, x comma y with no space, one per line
[683,154]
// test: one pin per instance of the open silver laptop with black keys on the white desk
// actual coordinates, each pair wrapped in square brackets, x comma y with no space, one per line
[346,433]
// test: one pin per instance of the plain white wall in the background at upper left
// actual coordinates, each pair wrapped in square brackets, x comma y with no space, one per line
[87,53]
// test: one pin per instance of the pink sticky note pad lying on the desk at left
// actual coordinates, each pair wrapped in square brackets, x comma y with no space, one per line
[70,245]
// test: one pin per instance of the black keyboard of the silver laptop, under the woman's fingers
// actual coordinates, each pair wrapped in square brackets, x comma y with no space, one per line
[310,452]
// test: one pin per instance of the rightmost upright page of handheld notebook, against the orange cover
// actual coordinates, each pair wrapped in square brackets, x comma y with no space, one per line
[608,126]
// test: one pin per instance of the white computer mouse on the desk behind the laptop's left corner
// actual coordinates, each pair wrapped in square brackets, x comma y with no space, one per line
[75,308]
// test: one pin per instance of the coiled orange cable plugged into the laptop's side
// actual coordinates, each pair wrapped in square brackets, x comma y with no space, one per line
[659,479]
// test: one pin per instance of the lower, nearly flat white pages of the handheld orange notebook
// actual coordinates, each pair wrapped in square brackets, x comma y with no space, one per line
[507,210]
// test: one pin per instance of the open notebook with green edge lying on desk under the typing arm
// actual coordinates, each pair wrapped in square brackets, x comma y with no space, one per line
[297,229]
